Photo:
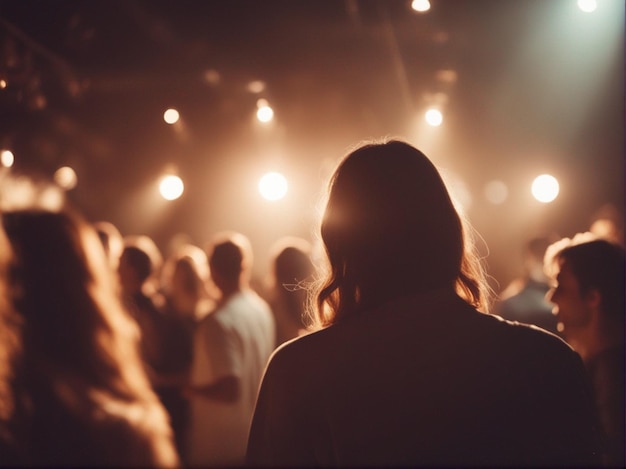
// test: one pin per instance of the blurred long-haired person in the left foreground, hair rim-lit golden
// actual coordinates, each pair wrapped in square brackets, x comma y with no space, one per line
[77,353]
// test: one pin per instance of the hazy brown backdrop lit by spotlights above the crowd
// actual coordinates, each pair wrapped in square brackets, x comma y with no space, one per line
[539,87]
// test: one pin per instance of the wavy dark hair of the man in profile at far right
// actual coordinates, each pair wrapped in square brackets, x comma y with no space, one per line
[598,264]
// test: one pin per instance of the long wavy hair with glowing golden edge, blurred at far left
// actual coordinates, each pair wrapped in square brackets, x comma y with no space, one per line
[76,339]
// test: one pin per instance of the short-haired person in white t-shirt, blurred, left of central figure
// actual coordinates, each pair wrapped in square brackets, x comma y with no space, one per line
[232,346]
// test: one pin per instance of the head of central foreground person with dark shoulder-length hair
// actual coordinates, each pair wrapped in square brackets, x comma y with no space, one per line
[390,228]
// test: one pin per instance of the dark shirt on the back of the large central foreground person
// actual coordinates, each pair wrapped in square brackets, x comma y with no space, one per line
[424,381]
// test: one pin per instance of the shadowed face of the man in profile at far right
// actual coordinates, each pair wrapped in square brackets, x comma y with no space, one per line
[573,310]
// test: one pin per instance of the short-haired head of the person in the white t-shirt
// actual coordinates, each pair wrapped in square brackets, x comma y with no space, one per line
[230,258]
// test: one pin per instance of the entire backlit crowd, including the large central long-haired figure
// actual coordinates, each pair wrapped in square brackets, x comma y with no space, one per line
[387,350]
